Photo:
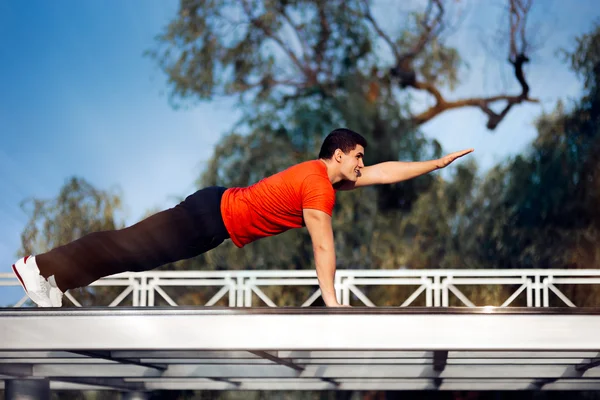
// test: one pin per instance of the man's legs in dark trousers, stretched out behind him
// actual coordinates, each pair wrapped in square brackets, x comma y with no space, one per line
[187,230]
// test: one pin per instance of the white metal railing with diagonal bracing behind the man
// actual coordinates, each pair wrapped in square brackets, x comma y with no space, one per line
[437,286]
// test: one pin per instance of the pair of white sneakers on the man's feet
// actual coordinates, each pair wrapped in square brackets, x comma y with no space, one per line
[40,290]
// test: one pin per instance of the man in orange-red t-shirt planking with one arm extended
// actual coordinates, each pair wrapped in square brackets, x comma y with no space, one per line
[302,195]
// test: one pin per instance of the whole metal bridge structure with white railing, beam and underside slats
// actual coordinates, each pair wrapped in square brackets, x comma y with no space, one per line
[241,338]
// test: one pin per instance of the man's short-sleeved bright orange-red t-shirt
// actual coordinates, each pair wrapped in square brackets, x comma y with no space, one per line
[274,204]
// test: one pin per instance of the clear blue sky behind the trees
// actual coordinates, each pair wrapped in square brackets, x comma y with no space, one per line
[77,97]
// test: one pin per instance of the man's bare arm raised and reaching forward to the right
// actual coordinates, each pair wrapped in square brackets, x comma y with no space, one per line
[398,171]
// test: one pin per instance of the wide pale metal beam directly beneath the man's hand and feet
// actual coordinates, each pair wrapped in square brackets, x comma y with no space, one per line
[354,329]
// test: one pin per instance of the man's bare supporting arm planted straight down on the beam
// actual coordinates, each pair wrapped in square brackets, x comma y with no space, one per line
[319,227]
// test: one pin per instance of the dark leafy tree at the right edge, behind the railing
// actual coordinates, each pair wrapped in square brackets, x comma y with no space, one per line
[540,209]
